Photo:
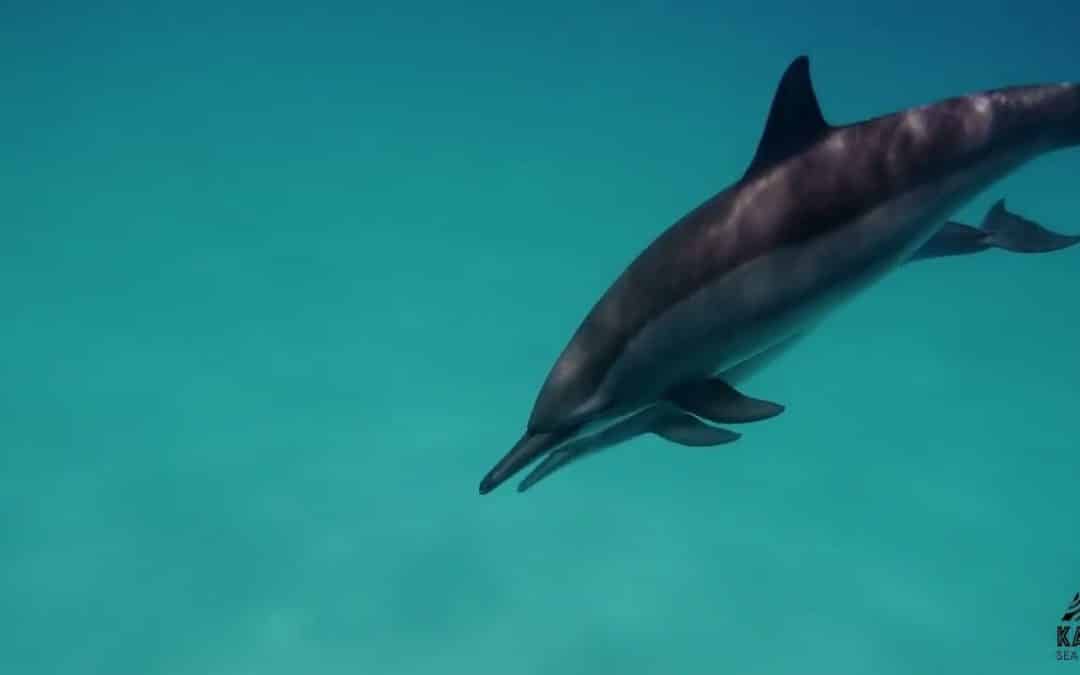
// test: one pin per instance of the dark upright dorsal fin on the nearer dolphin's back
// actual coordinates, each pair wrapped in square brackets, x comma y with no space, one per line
[795,119]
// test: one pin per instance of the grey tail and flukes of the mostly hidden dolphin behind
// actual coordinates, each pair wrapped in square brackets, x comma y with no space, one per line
[1001,229]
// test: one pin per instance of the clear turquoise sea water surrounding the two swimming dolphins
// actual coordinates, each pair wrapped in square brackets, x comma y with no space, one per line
[281,286]
